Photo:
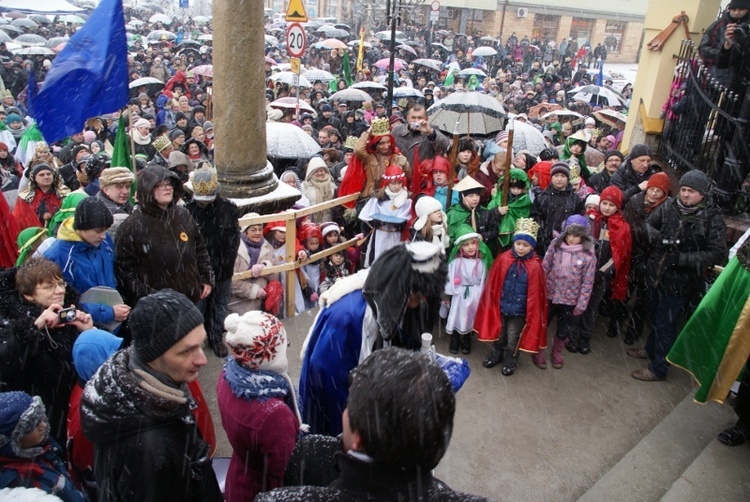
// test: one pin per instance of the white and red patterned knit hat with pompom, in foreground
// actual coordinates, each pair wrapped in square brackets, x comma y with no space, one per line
[258,341]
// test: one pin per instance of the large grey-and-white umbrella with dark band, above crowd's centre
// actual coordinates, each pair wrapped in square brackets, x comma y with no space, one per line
[467,112]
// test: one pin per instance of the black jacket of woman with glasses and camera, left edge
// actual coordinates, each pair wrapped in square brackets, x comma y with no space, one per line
[33,361]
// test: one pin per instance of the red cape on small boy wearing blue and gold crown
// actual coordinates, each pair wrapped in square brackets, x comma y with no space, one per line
[488,321]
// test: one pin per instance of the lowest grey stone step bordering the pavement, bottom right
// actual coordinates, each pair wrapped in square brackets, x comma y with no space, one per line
[650,469]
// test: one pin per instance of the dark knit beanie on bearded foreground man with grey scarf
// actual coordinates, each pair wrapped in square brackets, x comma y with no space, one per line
[160,320]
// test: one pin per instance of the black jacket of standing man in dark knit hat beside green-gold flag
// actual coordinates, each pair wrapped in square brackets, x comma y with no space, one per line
[683,247]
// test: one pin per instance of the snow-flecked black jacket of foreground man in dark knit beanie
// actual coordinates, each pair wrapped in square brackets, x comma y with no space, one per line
[147,448]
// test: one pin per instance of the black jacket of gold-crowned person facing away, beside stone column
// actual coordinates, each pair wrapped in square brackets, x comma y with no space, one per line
[217,222]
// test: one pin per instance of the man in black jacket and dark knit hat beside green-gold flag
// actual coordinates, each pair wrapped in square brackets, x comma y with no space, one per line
[688,235]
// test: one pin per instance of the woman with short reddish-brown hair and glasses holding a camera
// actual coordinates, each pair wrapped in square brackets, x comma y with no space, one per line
[40,325]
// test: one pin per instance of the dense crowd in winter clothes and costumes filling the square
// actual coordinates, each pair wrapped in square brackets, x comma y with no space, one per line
[114,280]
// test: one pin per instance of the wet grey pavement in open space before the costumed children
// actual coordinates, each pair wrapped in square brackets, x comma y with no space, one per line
[542,435]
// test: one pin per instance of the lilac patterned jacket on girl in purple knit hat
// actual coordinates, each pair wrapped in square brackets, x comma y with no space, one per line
[572,287]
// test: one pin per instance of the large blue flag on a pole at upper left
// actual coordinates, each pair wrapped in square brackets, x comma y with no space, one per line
[88,78]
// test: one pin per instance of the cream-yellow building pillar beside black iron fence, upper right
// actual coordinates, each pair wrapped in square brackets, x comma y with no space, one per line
[656,68]
